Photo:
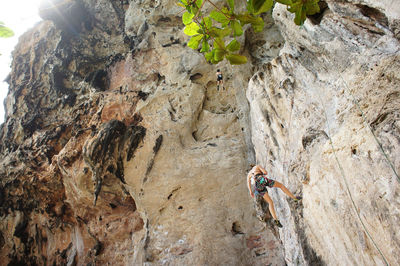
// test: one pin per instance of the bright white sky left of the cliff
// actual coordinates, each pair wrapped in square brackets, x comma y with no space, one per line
[19,15]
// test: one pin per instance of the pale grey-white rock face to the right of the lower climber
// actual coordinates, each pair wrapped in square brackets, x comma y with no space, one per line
[314,112]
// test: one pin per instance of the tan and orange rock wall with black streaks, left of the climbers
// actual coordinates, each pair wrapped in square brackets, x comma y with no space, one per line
[117,147]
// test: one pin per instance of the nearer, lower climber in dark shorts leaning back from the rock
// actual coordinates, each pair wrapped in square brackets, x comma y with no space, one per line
[257,177]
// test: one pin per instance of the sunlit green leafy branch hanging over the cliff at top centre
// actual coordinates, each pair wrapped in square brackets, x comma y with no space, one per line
[210,31]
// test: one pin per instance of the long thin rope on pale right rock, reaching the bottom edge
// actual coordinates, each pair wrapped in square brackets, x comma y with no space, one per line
[345,179]
